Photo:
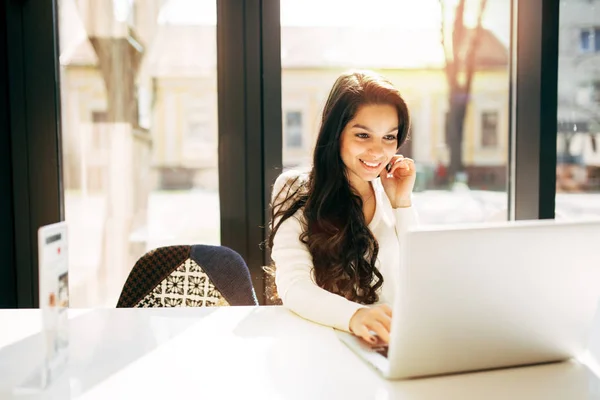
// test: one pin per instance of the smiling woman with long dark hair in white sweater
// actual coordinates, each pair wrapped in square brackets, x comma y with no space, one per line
[335,232]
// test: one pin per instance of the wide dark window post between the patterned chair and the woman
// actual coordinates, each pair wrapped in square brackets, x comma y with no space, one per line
[250,146]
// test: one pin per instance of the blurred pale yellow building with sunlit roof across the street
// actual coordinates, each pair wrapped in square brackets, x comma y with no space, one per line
[177,97]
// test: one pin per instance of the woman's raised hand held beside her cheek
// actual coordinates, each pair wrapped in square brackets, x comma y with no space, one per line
[399,181]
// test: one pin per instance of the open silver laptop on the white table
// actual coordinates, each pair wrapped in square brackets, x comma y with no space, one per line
[490,296]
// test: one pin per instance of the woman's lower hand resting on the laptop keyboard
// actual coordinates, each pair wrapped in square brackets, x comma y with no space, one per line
[376,319]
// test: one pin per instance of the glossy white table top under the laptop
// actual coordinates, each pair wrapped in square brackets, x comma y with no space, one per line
[244,353]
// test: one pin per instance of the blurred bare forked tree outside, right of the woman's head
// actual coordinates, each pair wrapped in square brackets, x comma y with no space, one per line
[460,59]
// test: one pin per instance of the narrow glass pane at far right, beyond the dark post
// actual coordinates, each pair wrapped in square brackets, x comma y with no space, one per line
[578,146]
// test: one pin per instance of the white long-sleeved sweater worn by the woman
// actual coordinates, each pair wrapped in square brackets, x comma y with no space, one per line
[294,269]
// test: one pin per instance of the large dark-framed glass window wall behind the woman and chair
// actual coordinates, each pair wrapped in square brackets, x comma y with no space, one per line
[138,91]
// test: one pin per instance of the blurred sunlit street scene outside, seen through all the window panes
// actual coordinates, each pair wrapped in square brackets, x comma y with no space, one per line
[140,123]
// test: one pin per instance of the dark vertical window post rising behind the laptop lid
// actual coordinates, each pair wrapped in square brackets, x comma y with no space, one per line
[533,94]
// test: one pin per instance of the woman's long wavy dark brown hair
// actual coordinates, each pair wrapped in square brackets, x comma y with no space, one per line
[343,248]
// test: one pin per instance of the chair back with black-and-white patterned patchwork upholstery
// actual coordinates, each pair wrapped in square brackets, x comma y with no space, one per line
[188,276]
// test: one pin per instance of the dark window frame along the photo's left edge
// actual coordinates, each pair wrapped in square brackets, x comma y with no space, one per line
[31,85]
